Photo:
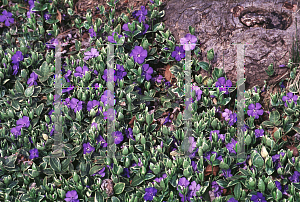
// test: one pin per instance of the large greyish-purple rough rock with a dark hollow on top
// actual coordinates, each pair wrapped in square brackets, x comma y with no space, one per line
[267,25]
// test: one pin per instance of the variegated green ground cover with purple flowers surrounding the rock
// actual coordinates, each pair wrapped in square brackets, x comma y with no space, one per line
[149,108]
